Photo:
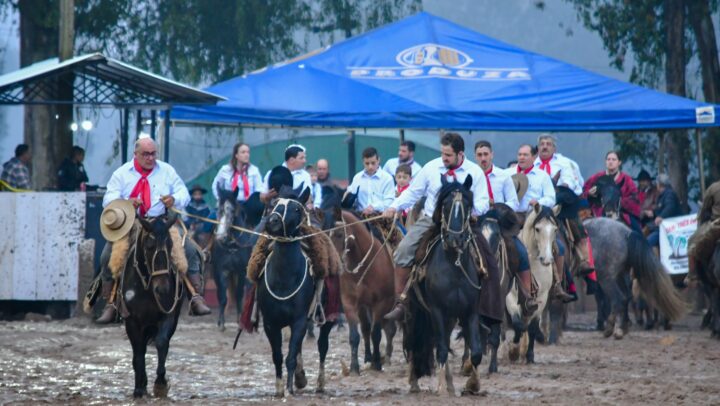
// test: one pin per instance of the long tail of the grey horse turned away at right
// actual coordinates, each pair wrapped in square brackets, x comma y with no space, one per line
[654,282]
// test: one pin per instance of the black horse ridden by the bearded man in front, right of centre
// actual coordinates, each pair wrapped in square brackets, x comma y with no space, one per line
[449,292]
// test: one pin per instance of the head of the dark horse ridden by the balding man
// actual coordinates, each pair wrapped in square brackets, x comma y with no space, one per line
[155,246]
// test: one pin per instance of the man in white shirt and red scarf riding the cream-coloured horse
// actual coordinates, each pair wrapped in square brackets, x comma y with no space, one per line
[541,191]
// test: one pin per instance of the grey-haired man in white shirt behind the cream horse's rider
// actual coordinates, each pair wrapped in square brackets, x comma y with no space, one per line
[563,170]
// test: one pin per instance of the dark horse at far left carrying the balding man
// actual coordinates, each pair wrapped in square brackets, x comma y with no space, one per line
[152,294]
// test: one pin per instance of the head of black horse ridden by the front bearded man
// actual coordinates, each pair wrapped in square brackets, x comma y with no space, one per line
[453,210]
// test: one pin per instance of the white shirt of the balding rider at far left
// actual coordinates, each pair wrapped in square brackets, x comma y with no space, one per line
[163,181]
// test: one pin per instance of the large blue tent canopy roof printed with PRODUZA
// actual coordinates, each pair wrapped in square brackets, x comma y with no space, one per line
[426,72]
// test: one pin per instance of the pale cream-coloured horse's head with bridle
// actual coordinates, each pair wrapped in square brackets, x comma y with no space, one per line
[540,231]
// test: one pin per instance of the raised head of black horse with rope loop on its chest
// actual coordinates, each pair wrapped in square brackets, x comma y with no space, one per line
[288,213]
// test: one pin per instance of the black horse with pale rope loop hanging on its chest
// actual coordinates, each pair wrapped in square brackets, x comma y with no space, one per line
[285,292]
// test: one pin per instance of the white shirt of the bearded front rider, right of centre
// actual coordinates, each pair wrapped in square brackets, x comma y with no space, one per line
[427,183]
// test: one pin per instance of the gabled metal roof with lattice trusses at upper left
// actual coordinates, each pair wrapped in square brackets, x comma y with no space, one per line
[97,81]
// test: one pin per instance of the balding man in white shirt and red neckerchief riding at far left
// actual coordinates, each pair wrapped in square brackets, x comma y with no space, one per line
[153,187]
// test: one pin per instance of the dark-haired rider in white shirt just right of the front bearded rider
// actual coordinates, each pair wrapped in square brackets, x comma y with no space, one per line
[502,190]
